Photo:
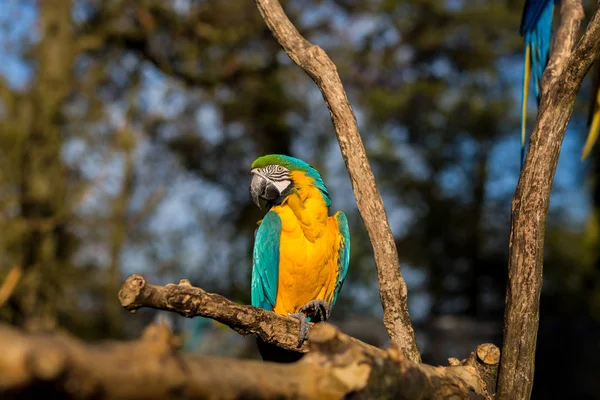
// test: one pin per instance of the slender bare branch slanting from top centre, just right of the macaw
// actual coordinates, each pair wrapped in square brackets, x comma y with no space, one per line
[315,62]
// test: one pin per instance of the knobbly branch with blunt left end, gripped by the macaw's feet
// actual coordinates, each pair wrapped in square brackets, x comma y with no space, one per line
[191,301]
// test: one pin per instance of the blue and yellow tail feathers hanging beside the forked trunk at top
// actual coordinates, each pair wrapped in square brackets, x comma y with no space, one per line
[536,28]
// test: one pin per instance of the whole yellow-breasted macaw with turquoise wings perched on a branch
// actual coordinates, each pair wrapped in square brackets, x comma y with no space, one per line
[301,254]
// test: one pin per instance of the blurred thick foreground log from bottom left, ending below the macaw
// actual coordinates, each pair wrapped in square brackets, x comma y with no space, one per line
[42,366]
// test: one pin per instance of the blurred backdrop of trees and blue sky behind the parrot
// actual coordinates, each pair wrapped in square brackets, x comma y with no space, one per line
[128,128]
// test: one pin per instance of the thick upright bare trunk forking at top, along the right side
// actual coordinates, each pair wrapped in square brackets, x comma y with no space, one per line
[532,198]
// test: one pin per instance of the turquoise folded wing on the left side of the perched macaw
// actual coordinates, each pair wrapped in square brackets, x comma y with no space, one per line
[265,262]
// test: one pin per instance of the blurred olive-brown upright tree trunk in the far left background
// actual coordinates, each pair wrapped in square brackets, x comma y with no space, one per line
[43,174]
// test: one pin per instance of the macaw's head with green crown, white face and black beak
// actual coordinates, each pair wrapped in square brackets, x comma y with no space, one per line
[275,176]
